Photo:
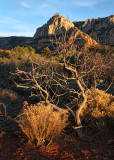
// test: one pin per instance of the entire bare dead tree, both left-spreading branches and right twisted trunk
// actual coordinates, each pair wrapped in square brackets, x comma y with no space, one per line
[78,67]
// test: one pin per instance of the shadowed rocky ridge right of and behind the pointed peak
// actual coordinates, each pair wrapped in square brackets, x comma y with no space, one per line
[101,29]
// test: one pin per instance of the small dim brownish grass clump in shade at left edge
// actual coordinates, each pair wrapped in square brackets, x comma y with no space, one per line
[8,94]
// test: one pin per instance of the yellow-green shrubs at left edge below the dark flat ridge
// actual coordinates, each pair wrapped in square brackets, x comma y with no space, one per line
[19,57]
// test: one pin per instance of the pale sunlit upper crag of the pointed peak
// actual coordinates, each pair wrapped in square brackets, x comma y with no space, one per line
[55,26]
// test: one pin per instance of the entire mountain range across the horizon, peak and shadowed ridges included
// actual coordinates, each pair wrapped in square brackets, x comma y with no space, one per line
[90,32]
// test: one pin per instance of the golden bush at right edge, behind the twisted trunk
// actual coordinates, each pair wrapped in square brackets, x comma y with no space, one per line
[99,110]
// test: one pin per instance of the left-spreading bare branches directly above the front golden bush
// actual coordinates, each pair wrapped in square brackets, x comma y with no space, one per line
[42,79]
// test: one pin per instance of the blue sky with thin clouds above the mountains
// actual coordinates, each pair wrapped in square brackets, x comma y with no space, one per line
[22,17]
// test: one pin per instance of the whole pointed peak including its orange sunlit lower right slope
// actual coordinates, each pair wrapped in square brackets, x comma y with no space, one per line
[57,25]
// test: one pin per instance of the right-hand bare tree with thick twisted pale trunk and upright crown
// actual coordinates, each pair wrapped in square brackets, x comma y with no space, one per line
[82,66]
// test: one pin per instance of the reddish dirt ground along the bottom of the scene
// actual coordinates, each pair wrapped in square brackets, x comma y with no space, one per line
[67,146]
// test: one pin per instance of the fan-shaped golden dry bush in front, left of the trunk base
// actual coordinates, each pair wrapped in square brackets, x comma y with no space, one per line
[41,122]
